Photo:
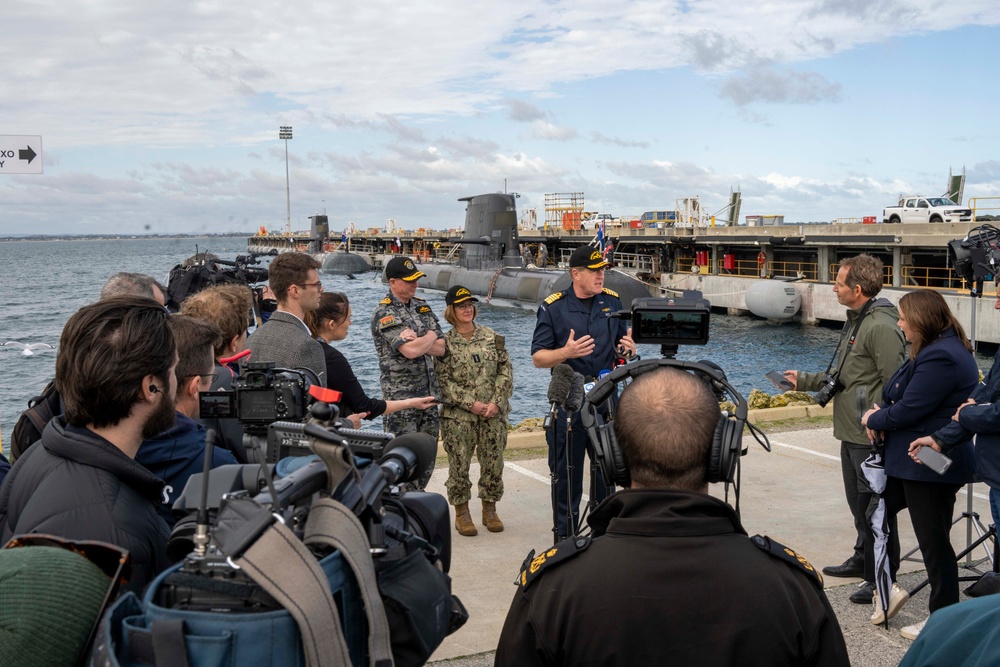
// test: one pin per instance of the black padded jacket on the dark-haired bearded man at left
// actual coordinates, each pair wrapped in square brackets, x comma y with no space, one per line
[77,485]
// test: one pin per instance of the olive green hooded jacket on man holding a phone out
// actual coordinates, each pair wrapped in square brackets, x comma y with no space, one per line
[878,352]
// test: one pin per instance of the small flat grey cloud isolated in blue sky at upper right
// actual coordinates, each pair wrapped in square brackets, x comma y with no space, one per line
[772,86]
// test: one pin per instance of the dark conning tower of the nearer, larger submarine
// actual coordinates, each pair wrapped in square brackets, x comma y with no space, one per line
[490,241]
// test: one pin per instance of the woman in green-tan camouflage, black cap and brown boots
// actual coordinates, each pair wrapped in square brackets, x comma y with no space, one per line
[476,380]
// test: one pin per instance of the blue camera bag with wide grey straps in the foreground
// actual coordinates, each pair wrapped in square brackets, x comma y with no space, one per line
[328,605]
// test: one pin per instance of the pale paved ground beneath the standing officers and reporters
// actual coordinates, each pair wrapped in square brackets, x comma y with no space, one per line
[794,494]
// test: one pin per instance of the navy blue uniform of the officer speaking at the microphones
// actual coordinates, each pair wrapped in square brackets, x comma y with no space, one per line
[557,314]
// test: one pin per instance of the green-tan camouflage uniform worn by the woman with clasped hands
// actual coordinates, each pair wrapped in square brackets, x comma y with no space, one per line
[478,369]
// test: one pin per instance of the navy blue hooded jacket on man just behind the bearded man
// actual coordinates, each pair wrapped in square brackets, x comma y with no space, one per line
[176,454]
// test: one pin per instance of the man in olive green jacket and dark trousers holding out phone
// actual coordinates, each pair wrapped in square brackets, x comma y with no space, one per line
[870,350]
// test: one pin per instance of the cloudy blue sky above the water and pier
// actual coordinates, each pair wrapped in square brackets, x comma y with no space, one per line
[162,116]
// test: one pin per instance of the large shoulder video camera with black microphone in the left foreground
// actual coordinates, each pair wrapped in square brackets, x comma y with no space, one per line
[408,532]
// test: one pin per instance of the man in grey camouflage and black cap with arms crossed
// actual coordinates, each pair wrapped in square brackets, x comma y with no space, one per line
[407,337]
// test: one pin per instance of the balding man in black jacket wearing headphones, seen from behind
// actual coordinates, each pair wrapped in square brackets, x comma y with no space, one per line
[670,576]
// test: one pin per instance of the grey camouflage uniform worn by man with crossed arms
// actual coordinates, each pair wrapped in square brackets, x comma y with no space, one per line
[402,377]
